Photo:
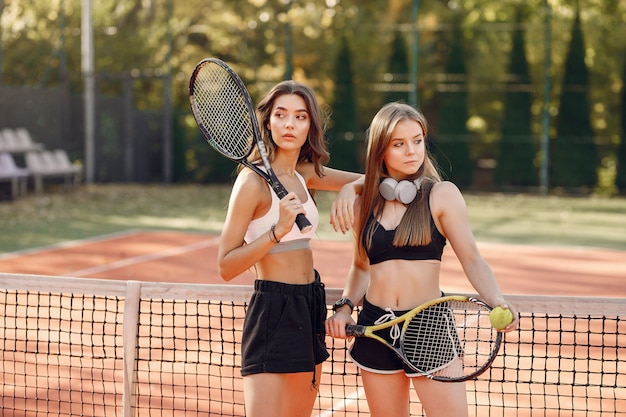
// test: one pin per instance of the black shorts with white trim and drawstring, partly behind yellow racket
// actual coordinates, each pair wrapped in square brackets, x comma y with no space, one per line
[373,356]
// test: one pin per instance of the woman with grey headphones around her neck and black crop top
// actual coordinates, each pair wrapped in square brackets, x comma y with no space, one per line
[404,218]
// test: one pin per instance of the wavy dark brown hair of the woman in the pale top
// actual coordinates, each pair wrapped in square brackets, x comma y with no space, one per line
[314,149]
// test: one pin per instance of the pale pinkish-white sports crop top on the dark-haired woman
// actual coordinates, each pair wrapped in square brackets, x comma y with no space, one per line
[293,240]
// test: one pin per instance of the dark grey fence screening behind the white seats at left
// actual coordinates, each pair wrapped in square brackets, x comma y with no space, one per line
[129,141]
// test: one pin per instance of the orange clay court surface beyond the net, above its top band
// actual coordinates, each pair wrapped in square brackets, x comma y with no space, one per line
[166,256]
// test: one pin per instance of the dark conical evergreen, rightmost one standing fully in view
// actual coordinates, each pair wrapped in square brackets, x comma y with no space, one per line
[574,156]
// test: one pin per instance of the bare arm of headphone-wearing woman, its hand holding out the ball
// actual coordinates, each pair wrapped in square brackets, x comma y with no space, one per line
[450,215]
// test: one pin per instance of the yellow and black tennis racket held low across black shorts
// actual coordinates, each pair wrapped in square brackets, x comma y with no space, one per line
[446,339]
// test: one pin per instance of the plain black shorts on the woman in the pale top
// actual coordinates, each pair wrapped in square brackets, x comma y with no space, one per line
[284,328]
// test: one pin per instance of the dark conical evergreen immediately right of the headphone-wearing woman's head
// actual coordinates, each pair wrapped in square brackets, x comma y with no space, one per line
[451,141]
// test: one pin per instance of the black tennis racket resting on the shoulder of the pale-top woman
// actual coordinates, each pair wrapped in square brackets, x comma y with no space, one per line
[225,115]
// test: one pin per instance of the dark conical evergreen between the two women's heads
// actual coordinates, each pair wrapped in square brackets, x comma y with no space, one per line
[345,143]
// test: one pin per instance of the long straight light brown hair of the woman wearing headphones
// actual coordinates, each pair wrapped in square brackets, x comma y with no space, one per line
[415,227]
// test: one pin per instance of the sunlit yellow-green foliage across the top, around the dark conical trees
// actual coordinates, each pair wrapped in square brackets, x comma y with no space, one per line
[41,46]
